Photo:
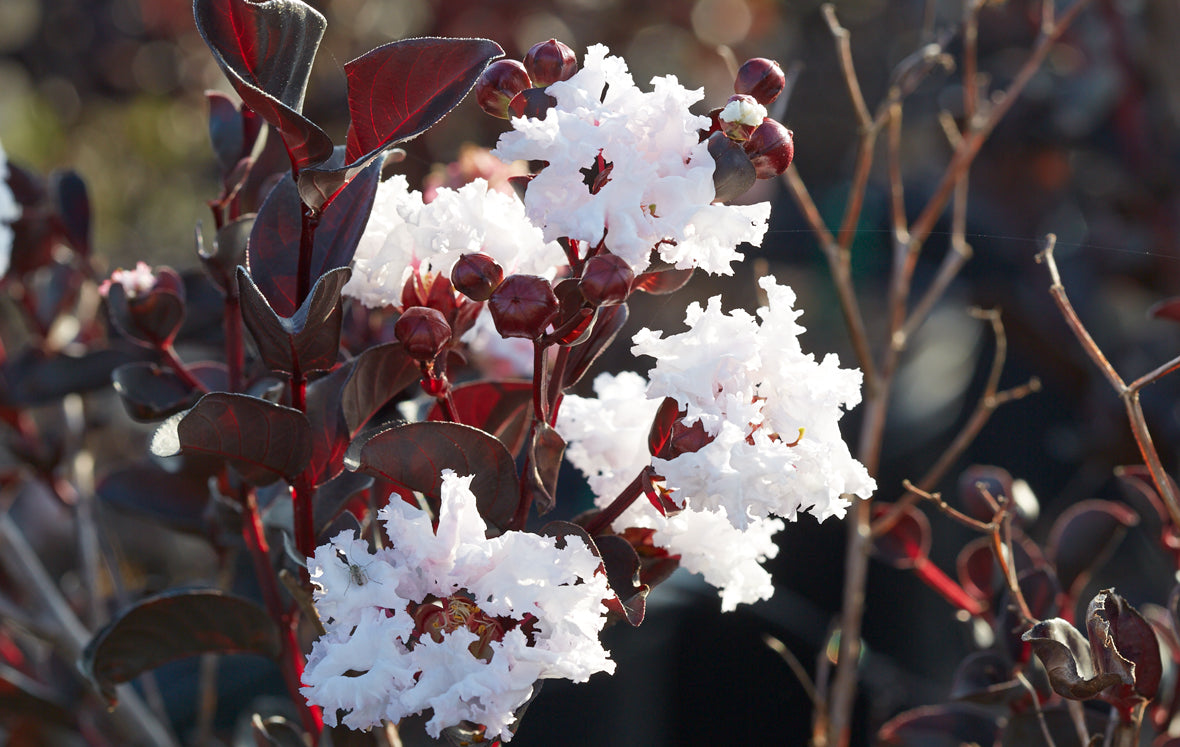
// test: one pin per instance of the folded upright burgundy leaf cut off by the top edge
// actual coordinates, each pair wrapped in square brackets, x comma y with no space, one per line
[266,51]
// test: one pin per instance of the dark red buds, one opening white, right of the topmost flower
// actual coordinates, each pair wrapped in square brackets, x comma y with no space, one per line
[744,121]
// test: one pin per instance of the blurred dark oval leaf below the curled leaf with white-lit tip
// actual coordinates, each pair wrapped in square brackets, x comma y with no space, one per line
[175,500]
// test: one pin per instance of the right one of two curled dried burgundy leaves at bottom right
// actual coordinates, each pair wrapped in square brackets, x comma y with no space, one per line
[1119,635]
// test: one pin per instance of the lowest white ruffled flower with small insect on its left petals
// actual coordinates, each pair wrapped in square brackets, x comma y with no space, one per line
[449,621]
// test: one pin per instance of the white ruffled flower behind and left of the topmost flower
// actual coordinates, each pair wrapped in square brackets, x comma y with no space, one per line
[405,235]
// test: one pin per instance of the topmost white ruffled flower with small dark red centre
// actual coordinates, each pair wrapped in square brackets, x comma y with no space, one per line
[659,191]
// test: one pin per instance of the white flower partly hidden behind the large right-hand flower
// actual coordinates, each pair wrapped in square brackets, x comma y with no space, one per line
[607,440]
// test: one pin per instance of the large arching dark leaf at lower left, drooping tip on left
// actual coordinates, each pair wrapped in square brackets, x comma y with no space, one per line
[173,626]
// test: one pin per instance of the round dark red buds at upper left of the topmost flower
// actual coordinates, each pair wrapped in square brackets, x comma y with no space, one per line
[509,88]
